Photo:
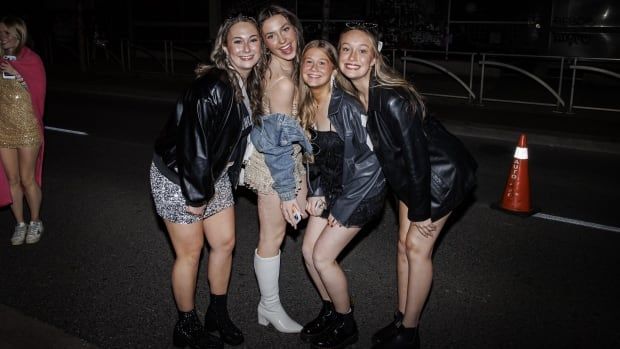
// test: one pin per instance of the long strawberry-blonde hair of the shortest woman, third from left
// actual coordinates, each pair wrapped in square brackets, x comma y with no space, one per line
[307,105]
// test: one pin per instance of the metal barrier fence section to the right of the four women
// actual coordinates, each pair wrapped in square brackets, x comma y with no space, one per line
[552,79]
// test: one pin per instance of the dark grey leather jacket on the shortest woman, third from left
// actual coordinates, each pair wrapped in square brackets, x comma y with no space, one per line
[361,174]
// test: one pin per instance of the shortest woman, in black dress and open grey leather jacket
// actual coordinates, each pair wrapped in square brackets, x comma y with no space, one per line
[346,190]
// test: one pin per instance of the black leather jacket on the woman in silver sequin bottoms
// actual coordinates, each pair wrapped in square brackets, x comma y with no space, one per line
[204,133]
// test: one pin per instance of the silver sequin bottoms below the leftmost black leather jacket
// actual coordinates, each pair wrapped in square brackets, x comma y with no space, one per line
[170,203]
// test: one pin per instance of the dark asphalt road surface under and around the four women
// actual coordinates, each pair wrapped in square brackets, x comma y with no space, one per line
[101,271]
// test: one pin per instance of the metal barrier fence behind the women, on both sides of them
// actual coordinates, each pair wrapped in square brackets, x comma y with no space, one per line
[550,73]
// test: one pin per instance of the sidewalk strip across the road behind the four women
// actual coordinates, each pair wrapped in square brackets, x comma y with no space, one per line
[582,130]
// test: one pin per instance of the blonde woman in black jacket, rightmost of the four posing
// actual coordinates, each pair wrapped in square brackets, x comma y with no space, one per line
[428,169]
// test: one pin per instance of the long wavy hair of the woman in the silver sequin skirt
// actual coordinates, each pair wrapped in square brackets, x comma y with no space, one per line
[220,60]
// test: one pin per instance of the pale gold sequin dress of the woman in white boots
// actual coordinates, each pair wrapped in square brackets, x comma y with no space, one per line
[257,175]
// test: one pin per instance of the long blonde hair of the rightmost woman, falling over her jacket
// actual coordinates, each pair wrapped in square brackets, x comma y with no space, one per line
[384,74]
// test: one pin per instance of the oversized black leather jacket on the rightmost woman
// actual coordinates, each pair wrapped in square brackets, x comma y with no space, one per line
[428,168]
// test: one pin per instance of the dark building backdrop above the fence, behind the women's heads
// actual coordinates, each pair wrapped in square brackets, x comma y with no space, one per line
[66,29]
